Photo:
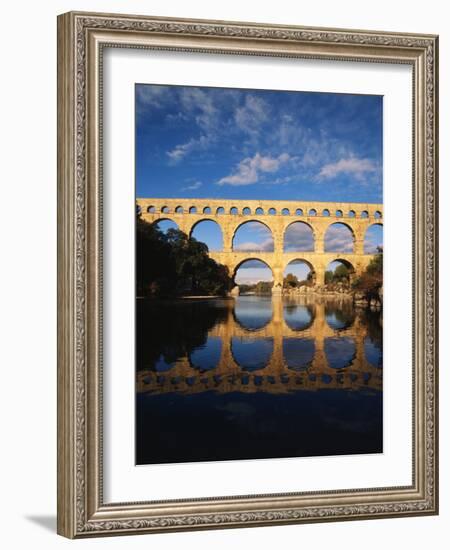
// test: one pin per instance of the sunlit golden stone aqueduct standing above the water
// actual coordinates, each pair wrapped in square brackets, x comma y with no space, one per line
[277,216]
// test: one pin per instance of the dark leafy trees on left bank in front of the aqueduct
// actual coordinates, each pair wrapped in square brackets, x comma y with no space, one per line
[173,264]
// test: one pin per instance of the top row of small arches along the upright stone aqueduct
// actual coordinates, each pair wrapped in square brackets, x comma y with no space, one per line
[259,211]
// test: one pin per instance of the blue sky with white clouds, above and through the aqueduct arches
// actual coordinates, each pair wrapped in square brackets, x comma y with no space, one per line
[257,144]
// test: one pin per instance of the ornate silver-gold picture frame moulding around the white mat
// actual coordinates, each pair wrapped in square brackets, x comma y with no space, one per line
[81,37]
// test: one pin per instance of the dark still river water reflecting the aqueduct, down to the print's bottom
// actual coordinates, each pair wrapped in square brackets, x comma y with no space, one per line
[256,377]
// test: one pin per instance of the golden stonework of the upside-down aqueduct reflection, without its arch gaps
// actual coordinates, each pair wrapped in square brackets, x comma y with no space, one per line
[275,376]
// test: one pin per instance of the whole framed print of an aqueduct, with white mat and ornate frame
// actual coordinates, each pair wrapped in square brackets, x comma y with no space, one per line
[247,274]
